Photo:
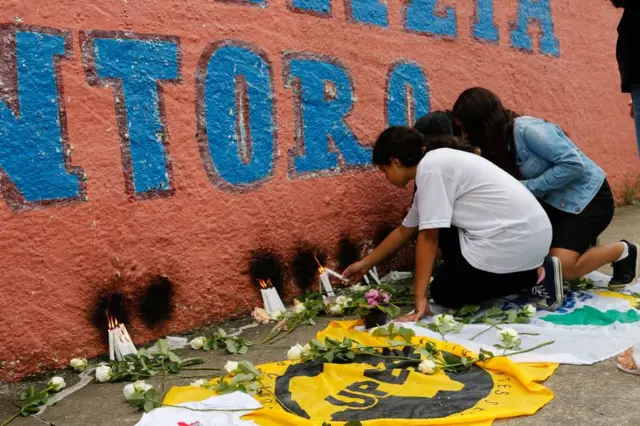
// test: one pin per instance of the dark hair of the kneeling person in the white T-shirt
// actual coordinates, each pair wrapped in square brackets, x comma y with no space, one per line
[409,146]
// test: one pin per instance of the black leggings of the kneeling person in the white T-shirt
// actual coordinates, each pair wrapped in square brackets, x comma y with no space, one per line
[457,283]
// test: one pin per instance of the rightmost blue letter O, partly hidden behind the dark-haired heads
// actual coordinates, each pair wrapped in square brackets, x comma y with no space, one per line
[400,76]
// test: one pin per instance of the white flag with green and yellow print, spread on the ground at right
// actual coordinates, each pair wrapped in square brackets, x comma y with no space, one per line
[591,326]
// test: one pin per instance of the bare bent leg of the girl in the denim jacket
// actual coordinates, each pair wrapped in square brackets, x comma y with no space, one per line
[575,265]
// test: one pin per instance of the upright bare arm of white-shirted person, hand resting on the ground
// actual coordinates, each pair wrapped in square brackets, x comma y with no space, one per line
[425,258]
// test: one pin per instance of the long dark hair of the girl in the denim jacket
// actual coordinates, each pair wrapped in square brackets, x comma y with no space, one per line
[489,126]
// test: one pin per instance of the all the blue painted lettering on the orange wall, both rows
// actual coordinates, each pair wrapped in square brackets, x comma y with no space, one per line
[235,108]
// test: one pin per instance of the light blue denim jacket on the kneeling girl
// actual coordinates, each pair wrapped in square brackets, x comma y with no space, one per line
[553,167]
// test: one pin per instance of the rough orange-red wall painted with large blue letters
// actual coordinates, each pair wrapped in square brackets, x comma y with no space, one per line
[143,138]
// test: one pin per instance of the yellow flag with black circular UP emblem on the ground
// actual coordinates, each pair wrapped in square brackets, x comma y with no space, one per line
[390,392]
